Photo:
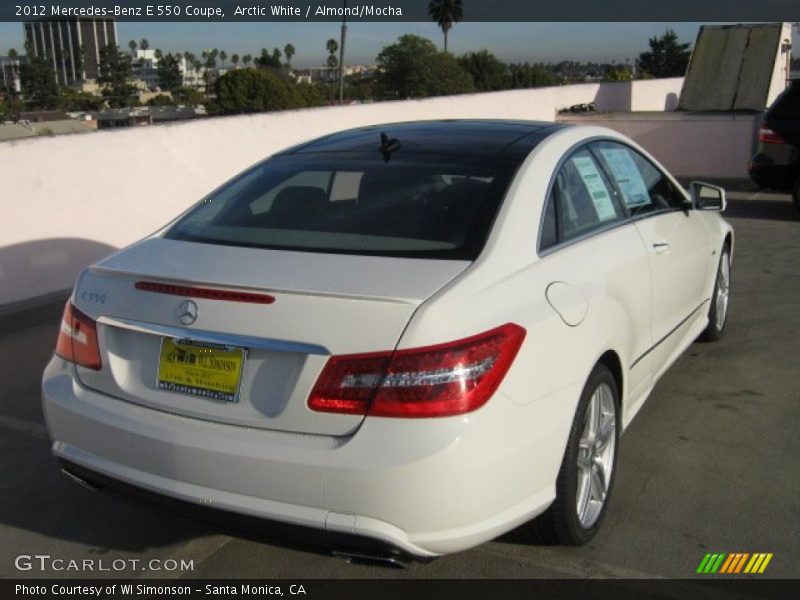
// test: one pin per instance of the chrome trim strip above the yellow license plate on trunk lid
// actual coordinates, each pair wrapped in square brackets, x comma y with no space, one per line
[211,337]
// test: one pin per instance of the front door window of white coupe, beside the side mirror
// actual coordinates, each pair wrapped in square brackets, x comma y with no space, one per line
[644,188]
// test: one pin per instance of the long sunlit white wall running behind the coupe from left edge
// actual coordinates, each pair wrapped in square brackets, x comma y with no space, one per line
[66,201]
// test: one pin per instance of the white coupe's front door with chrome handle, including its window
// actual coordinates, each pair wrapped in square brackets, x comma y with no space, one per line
[677,241]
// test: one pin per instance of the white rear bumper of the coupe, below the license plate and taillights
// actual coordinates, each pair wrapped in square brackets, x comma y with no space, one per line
[427,486]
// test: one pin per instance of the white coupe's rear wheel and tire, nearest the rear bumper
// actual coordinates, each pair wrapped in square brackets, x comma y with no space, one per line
[586,477]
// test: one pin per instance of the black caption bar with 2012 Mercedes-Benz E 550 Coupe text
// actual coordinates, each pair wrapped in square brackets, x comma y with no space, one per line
[403,10]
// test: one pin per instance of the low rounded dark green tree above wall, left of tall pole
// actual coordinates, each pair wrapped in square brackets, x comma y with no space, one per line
[254,90]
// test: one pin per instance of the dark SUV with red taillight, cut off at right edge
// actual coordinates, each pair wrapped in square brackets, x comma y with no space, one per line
[776,164]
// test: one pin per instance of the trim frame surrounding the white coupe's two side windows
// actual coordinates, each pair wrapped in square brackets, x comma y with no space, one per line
[625,220]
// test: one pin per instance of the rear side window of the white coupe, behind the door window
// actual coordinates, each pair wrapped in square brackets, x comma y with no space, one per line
[581,200]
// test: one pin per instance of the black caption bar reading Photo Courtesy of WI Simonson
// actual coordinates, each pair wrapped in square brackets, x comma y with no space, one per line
[351,589]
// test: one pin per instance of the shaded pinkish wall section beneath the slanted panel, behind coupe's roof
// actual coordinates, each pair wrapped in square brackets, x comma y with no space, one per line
[691,146]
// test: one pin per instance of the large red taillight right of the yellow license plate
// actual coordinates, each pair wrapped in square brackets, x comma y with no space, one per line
[435,381]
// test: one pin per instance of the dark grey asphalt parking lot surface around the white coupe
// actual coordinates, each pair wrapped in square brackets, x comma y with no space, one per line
[709,465]
